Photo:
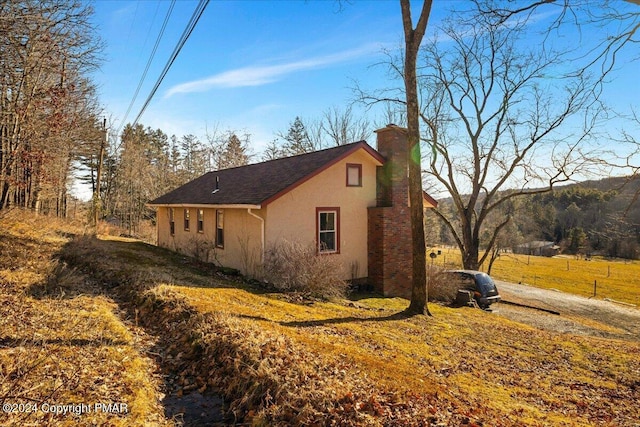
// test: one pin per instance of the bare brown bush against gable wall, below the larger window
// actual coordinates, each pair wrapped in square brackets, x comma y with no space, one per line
[296,267]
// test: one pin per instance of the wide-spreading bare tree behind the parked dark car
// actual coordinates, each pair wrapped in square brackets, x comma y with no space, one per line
[496,121]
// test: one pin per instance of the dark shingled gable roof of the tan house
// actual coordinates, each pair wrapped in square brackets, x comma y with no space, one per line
[259,183]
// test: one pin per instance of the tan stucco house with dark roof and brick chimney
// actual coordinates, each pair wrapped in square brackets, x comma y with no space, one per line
[350,201]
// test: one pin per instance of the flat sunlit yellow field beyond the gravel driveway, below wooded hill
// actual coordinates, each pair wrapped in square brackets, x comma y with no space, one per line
[617,280]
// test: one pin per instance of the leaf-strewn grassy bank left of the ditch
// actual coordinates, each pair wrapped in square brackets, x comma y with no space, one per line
[61,340]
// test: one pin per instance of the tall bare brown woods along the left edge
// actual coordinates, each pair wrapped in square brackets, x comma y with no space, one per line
[49,108]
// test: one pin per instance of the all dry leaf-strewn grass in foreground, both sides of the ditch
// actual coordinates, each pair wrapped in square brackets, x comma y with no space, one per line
[284,360]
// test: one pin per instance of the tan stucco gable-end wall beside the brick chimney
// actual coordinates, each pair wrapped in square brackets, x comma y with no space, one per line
[293,215]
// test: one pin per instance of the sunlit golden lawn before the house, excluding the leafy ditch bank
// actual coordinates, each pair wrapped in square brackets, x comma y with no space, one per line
[464,360]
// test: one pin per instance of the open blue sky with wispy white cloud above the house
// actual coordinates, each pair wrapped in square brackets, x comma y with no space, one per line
[253,66]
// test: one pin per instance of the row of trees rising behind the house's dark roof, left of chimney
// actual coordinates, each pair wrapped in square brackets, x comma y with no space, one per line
[145,163]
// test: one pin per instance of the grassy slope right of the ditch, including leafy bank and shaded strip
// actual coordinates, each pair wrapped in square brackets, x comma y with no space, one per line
[281,361]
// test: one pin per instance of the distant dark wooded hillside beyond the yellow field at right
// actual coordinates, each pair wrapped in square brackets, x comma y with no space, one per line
[591,217]
